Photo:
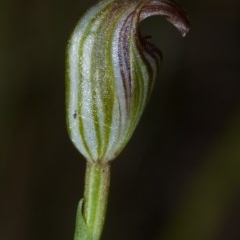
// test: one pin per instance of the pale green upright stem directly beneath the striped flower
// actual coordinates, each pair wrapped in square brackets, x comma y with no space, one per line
[95,197]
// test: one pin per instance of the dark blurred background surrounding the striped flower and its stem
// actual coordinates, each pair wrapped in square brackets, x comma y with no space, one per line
[179,176]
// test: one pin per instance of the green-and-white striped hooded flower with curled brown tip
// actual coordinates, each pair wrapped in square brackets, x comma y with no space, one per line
[111,70]
